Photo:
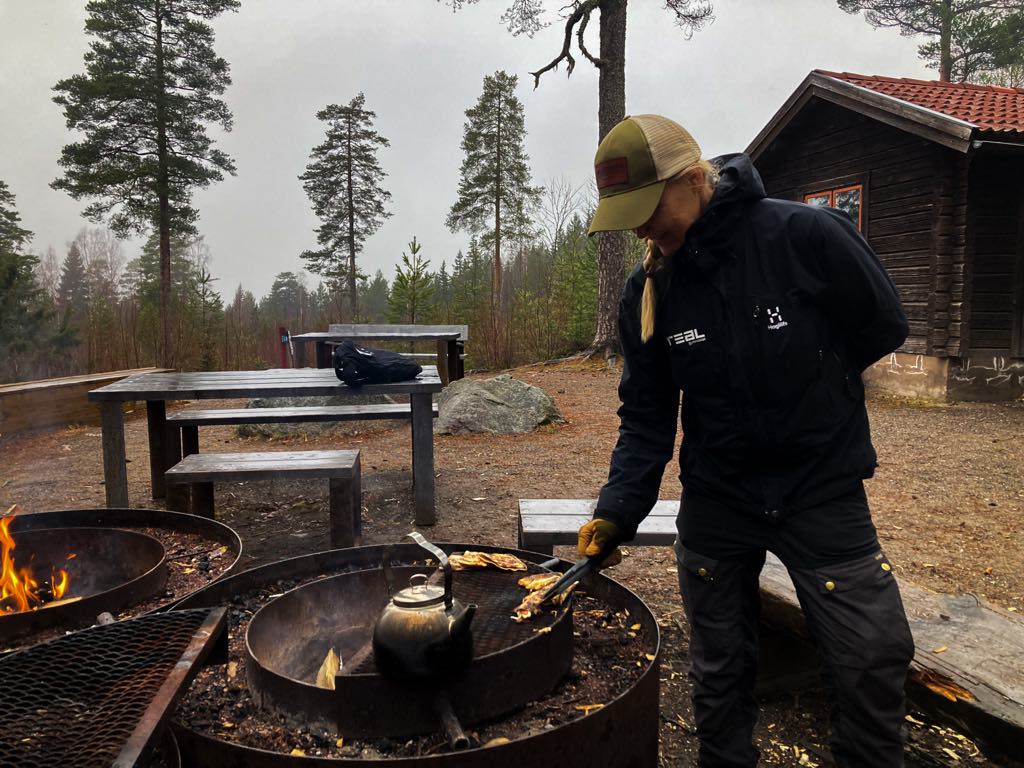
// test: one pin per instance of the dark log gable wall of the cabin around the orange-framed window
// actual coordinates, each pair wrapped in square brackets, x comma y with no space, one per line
[914,207]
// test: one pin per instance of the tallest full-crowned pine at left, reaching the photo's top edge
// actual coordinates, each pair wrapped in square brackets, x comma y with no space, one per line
[152,82]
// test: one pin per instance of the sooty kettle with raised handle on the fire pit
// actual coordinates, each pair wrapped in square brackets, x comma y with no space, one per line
[423,632]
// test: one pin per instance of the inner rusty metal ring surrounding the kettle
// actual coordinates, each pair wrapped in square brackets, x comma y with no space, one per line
[288,639]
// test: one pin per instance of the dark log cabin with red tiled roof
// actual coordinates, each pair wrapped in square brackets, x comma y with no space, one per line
[934,176]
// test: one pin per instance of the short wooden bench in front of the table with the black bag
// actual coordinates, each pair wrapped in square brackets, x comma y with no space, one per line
[342,468]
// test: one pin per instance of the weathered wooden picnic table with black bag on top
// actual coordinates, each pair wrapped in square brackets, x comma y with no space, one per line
[165,442]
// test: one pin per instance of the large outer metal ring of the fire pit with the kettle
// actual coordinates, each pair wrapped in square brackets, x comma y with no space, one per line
[621,735]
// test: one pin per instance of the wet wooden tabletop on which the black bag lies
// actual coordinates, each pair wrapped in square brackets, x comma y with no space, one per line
[288,382]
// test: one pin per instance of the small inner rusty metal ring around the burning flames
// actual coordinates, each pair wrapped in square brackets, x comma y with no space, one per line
[111,570]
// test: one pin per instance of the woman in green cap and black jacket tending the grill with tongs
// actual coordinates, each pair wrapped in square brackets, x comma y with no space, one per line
[763,314]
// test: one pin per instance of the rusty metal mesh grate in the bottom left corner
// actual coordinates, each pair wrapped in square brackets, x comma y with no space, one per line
[98,698]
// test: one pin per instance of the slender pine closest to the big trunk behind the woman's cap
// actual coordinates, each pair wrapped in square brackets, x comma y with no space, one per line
[494,191]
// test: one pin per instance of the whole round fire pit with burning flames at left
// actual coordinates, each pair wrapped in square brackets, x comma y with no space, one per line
[115,567]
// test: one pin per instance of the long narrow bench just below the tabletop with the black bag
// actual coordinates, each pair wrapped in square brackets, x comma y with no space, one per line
[191,421]
